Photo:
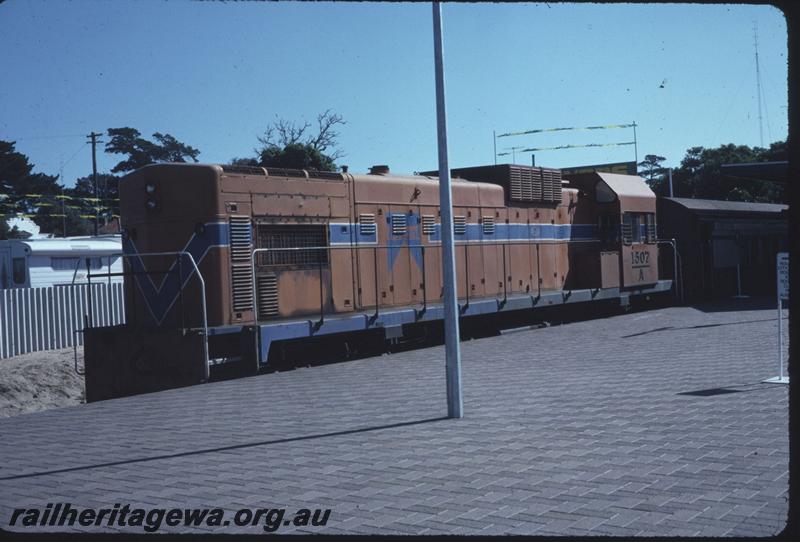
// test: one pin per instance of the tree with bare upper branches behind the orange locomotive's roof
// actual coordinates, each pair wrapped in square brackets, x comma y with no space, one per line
[286,144]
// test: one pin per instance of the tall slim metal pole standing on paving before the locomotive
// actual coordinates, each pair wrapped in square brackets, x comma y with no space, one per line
[452,348]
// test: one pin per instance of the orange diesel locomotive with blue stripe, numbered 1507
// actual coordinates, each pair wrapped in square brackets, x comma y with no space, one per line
[224,262]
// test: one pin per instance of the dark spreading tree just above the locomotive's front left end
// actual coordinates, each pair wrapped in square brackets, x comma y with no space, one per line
[142,152]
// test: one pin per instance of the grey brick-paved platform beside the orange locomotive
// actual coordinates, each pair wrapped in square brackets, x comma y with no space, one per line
[653,423]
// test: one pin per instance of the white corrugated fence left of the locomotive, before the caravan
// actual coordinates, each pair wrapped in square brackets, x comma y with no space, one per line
[33,319]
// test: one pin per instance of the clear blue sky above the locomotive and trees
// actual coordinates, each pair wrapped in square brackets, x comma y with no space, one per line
[215,74]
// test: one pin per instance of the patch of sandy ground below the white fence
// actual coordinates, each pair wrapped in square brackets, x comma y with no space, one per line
[39,381]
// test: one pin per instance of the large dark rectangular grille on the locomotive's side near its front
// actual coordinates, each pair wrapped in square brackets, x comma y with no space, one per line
[292,236]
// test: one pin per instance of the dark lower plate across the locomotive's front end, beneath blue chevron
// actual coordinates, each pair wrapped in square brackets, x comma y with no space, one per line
[123,360]
